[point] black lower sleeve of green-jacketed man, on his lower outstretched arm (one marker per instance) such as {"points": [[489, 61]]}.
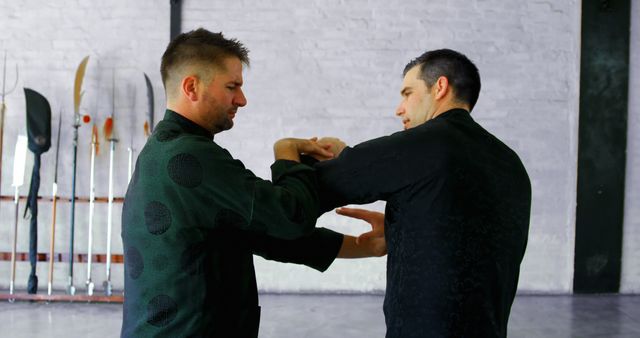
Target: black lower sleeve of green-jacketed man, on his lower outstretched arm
{"points": [[317, 250]]}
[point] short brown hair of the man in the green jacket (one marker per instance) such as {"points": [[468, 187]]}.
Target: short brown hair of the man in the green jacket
{"points": [[200, 48]]}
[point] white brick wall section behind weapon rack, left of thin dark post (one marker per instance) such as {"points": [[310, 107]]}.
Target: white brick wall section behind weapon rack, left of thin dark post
{"points": [[48, 39]]}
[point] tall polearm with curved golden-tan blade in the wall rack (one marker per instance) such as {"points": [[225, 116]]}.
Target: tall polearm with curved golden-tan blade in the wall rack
{"points": [[77, 97]]}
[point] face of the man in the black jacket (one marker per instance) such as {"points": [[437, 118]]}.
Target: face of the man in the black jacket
{"points": [[417, 103]]}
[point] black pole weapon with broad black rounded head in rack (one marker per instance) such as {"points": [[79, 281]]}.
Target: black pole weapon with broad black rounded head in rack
{"points": [[39, 132]]}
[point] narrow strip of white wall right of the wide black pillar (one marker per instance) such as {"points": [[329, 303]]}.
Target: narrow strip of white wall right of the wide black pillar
{"points": [[630, 282]]}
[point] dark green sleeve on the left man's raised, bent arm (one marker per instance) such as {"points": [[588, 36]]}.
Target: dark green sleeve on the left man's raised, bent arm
{"points": [[231, 195]]}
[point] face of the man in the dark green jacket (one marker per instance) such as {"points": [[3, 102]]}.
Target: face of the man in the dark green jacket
{"points": [[223, 96]]}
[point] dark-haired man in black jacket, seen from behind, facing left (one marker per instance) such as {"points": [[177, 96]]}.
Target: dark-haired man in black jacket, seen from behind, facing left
{"points": [[458, 206]]}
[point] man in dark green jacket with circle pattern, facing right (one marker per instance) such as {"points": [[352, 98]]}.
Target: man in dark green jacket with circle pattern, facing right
{"points": [[194, 216]]}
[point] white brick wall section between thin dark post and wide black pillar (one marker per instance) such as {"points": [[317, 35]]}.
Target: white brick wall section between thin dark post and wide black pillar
{"points": [[334, 67]]}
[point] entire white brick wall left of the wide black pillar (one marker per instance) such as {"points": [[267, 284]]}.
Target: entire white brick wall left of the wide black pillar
{"points": [[318, 68]]}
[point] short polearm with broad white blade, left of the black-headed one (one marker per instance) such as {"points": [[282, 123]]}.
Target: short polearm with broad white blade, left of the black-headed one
{"points": [[19, 161]]}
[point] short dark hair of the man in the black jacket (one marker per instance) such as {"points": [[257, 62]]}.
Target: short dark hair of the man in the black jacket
{"points": [[462, 74]]}
